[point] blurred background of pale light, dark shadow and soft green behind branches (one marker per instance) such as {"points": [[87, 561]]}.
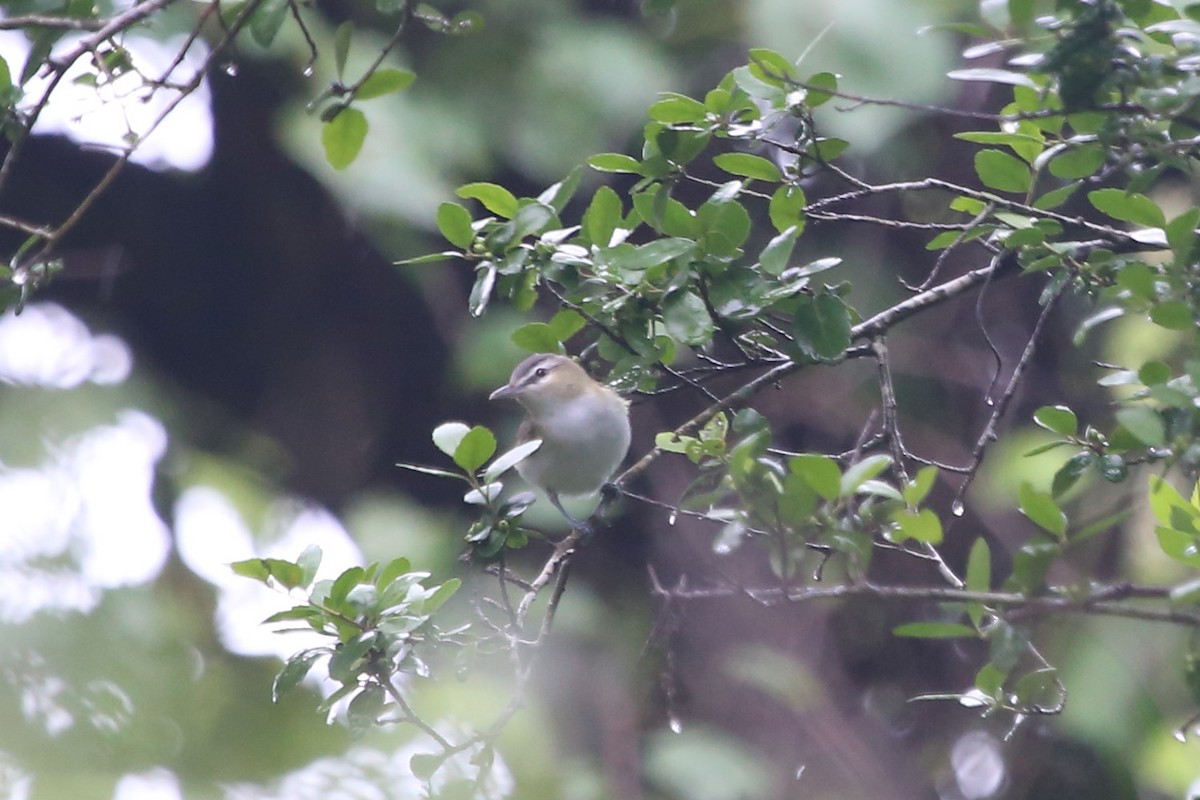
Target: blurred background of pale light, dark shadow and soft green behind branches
{"points": [[230, 365]]}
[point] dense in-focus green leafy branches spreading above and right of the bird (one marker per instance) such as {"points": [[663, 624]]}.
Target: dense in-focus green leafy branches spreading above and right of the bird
{"points": [[675, 294]]}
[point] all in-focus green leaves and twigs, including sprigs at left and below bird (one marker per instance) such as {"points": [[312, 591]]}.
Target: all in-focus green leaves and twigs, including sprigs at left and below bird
{"points": [[701, 269]]}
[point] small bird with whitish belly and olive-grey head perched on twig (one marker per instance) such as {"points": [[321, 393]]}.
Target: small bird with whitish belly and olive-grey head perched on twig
{"points": [[583, 424]]}
